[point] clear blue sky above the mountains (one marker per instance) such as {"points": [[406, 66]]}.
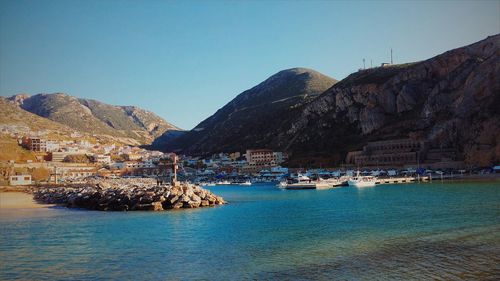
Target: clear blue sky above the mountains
{"points": [[186, 59]]}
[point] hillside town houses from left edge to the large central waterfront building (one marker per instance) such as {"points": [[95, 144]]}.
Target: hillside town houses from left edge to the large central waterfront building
{"points": [[72, 161]]}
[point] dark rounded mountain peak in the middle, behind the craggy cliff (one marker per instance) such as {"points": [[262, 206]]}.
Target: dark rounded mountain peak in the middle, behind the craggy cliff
{"points": [[250, 119]]}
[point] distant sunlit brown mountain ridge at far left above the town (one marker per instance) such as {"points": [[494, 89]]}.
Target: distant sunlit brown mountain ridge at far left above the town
{"points": [[90, 116]]}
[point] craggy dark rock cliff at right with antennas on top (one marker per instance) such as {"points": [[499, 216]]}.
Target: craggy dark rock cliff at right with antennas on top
{"points": [[451, 100]]}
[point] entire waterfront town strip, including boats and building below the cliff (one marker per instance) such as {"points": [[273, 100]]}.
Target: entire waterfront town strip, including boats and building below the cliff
{"points": [[76, 160]]}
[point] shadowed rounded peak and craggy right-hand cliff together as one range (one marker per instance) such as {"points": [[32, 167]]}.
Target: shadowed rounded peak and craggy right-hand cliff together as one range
{"points": [[451, 100]]}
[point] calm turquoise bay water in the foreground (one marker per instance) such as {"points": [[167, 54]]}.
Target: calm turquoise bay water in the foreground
{"points": [[401, 232]]}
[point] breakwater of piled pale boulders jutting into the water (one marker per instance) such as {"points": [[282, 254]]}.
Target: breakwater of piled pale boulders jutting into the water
{"points": [[143, 196]]}
